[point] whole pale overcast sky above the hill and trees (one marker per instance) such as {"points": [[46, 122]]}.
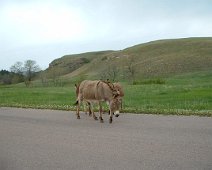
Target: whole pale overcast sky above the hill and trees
{"points": [[43, 30]]}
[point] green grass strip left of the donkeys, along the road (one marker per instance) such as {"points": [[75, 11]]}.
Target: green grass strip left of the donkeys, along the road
{"points": [[38, 97]]}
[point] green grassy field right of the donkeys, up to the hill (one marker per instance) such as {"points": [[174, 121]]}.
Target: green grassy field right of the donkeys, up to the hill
{"points": [[186, 94]]}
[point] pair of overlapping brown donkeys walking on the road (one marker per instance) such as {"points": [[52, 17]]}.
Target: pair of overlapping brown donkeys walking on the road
{"points": [[98, 91]]}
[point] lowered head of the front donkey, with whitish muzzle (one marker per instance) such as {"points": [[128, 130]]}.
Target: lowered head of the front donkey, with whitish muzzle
{"points": [[116, 105]]}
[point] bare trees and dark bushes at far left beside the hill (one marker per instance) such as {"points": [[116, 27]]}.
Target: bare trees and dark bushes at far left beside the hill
{"points": [[29, 71]]}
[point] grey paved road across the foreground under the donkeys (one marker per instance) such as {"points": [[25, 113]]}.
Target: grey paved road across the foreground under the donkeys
{"points": [[56, 140]]}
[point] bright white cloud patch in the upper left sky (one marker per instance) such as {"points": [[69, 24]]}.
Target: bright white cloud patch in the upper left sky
{"points": [[41, 23]]}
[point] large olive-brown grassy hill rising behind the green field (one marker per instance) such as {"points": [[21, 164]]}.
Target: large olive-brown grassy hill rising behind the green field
{"points": [[154, 59]]}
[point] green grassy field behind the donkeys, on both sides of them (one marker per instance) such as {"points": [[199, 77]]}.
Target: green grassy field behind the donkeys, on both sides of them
{"points": [[187, 94]]}
